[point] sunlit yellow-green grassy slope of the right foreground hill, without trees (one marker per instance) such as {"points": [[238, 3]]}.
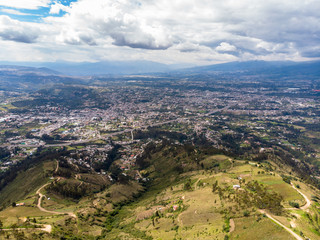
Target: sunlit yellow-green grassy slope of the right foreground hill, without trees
{"points": [[202, 214]]}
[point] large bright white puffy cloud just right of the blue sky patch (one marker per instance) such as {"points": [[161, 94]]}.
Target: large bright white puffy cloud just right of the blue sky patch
{"points": [[115, 20]]}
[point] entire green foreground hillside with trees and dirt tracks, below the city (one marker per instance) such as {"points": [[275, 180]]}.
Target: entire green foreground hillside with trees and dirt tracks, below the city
{"points": [[188, 193]]}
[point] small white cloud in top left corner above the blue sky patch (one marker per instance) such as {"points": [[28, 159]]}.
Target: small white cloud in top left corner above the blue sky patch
{"points": [[25, 4]]}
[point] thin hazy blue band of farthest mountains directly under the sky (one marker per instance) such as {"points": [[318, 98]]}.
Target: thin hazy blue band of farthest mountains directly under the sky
{"points": [[142, 67]]}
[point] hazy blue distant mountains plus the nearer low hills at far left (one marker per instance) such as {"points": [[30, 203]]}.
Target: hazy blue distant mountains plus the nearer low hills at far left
{"points": [[28, 78]]}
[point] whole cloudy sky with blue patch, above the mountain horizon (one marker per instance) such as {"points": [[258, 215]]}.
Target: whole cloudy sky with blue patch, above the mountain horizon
{"points": [[167, 31]]}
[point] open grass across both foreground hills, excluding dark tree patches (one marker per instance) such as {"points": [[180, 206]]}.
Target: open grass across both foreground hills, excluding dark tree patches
{"points": [[201, 214]]}
